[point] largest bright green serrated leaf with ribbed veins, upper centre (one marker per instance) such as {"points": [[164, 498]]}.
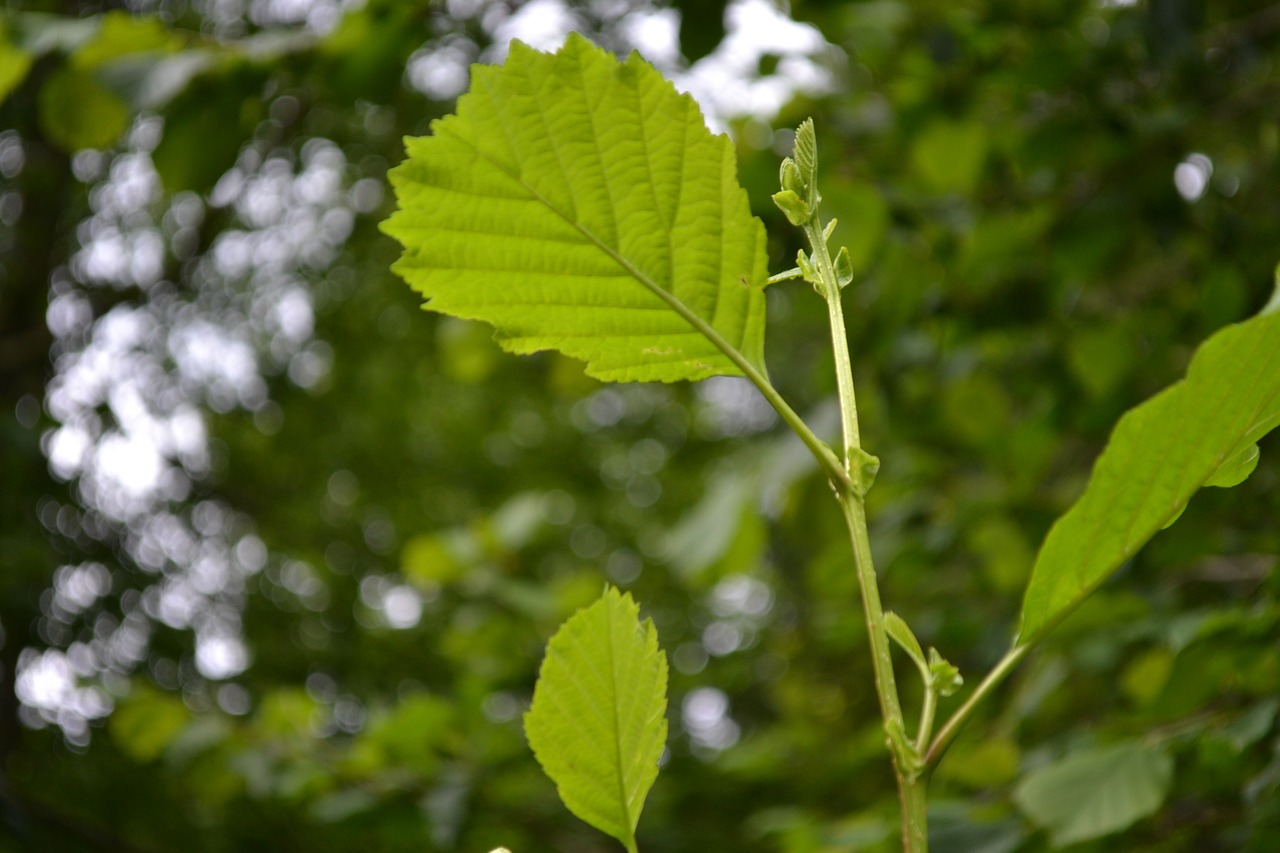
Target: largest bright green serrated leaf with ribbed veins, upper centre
{"points": [[580, 204]]}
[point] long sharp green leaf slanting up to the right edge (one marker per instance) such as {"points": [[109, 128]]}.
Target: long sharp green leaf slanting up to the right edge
{"points": [[1194, 434]]}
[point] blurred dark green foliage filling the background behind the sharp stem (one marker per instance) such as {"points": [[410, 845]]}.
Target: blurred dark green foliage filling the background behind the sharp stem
{"points": [[428, 510]]}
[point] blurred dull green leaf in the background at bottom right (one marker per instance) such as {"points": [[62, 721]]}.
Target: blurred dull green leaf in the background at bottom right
{"points": [[1092, 793]]}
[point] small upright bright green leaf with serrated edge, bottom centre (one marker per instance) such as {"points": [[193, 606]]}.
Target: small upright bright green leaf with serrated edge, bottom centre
{"points": [[598, 720]]}
